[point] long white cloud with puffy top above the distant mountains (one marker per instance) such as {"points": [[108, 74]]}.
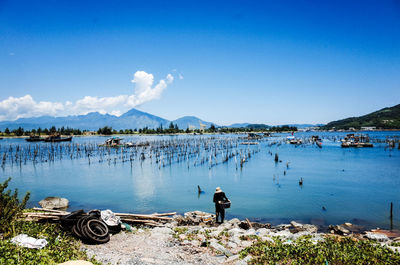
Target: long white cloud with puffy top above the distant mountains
{"points": [[22, 107]]}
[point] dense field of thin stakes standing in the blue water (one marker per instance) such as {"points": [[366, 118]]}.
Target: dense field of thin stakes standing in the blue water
{"points": [[192, 152]]}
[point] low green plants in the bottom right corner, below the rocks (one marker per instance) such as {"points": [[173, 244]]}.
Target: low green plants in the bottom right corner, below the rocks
{"points": [[332, 250]]}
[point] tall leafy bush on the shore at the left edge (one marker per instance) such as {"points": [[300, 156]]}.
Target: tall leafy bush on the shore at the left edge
{"points": [[10, 208]]}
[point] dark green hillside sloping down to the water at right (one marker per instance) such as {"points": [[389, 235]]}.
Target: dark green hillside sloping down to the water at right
{"points": [[387, 118]]}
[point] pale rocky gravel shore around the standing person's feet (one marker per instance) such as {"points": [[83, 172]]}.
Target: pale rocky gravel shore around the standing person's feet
{"points": [[195, 239]]}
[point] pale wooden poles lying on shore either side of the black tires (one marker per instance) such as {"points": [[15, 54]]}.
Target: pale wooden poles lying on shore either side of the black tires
{"points": [[156, 219]]}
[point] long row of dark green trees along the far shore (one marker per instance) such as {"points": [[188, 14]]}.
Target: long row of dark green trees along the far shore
{"points": [[171, 129]]}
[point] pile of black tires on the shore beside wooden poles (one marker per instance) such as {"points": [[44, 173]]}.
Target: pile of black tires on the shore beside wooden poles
{"points": [[89, 227]]}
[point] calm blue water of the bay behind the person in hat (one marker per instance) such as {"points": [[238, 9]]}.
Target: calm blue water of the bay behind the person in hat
{"points": [[354, 185]]}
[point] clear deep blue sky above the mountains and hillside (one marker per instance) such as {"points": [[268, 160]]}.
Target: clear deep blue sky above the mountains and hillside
{"points": [[272, 62]]}
